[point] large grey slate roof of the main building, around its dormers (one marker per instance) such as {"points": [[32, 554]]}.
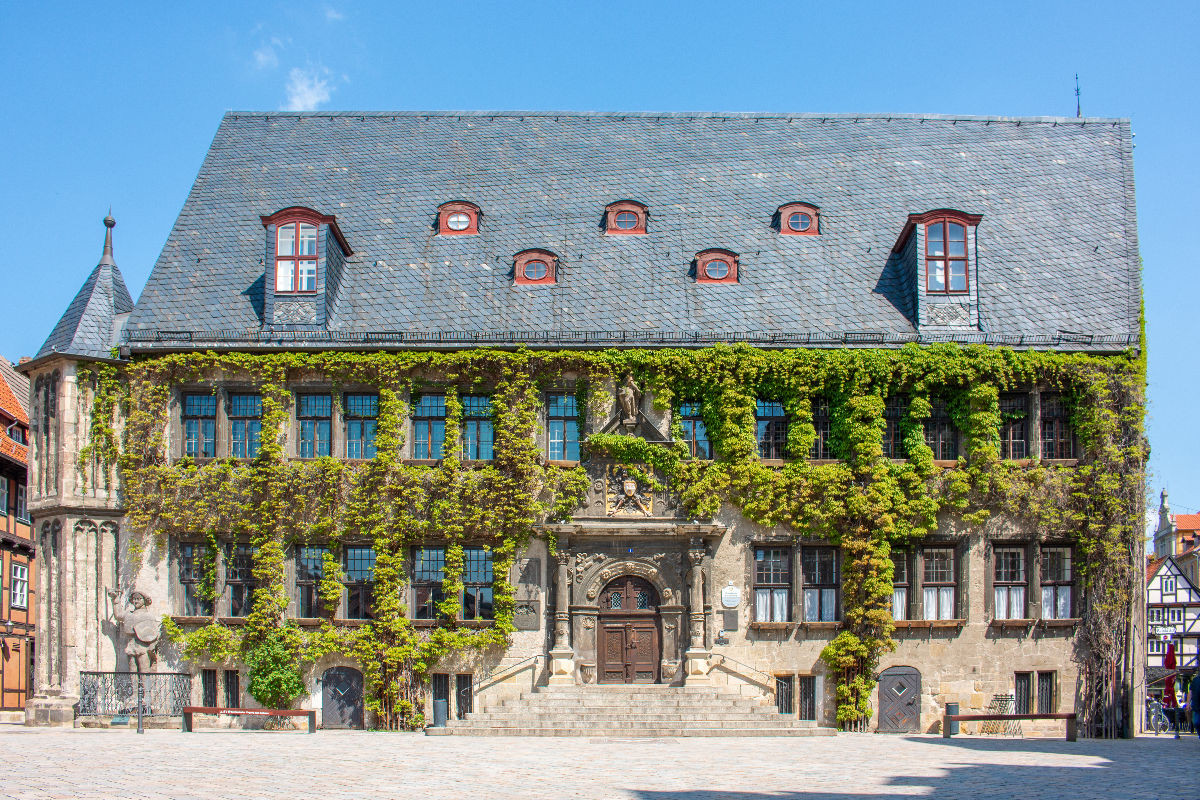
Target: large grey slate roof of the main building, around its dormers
{"points": [[1057, 262]]}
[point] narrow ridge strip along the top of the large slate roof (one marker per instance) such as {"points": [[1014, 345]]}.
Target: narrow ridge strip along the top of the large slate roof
{"points": [[841, 117]]}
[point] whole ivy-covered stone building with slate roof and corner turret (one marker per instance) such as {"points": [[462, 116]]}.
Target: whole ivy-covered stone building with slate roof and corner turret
{"points": [[386, 429]]}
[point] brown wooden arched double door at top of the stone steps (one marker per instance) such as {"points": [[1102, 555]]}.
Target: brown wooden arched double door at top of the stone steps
{"points": [[629, 633]]}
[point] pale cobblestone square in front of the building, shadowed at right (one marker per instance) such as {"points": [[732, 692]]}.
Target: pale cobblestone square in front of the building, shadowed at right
{"points": [[209, 765]]}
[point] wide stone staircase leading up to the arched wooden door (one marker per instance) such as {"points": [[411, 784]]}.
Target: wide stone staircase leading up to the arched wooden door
{"points": [[632, 712]]}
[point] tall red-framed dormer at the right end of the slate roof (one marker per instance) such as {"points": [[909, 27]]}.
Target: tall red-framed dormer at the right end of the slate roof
{"points": [[938, 250]]}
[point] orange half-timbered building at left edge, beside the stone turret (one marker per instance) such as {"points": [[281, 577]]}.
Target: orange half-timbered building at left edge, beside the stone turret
{"points": [[19, 601]]}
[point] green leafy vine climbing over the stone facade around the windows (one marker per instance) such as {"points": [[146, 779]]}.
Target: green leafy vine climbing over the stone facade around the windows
{"points": [[863, 503]]}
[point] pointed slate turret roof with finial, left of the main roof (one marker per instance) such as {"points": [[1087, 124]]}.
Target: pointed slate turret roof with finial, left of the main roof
{"points": [[92, 323]]}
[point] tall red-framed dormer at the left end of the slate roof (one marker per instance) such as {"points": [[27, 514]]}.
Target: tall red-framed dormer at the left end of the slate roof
{"points": [[305, 255]]}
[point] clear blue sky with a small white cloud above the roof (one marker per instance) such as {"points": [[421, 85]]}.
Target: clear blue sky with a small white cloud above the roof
{"points": [[117, 104]]}
